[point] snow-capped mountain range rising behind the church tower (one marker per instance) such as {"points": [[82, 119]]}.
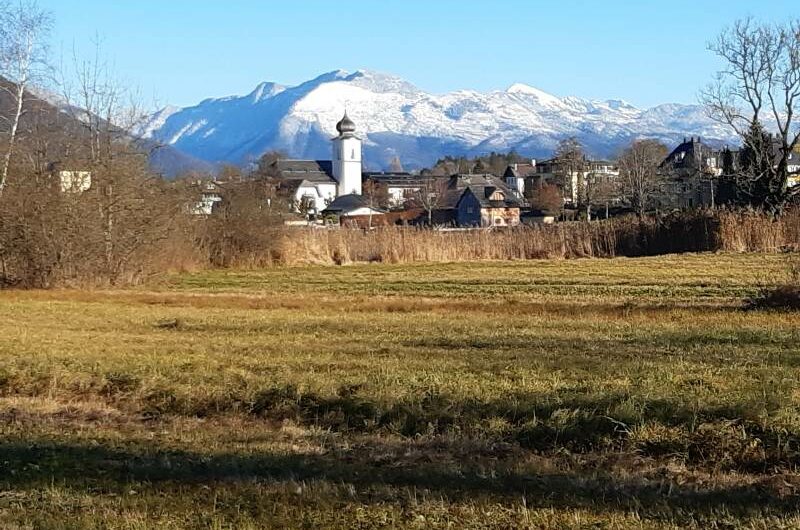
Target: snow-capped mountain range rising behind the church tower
{"points": [[395, 118]]}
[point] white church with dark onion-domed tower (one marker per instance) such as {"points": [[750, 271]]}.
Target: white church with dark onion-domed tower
{"points": [[331, 186]]}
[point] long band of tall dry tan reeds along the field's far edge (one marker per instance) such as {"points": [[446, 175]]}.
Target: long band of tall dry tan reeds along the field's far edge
{"points": [[685, 232]]}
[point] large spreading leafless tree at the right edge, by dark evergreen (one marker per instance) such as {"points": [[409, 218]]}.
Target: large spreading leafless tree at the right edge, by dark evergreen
{"points": [[760, 83]]}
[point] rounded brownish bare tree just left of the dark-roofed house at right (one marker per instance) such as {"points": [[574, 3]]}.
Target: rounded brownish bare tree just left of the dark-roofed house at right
{"points": [[638, 171]]}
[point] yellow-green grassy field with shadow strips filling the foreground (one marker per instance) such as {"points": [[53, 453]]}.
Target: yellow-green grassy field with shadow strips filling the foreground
{"points": [[626, 393]]}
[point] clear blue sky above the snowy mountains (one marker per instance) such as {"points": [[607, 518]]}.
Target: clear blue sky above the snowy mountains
{"points": [[183, 51]]}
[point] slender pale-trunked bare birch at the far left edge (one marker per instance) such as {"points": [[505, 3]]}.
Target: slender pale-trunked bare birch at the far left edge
{"points": [[24, 29]]}
